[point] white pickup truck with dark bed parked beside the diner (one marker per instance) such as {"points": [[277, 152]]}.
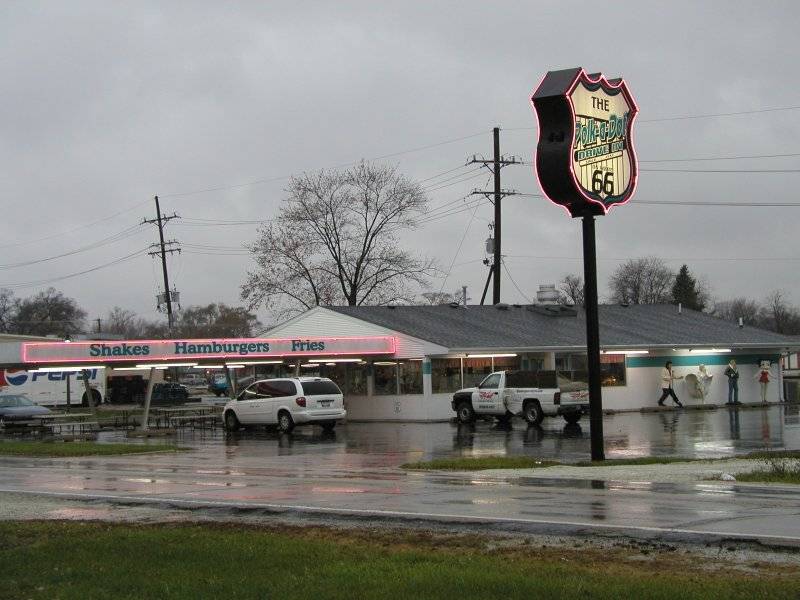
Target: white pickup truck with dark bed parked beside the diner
{"points": [[505, 394]]}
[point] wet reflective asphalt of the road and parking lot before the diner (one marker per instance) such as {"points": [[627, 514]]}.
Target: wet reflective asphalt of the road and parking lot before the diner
{"points": [[354, 473]]}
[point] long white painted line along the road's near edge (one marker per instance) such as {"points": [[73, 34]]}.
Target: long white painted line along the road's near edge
{"points": [[395, 513]]}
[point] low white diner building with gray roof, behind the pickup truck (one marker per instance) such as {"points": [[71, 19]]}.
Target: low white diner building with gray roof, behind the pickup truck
{"points": [[442, 348]]}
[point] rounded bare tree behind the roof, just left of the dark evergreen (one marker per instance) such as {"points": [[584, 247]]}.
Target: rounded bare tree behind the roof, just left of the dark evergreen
{"points": [[642, 281]]}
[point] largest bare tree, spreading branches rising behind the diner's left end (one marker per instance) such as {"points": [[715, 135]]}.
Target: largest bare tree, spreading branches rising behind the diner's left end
{"points": [[335, 241]]}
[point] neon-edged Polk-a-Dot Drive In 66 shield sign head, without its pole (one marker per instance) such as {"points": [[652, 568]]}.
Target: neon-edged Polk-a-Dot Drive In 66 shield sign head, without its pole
{"points": [[585, 160]]}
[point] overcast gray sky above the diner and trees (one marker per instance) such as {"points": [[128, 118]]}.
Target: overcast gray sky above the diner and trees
{"points": [[107, 103]]}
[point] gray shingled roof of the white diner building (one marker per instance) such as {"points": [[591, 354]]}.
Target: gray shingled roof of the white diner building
{"points": [[523, 327]]}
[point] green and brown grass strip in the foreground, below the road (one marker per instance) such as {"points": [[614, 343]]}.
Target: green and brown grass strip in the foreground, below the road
{"points": [[120, 561]]}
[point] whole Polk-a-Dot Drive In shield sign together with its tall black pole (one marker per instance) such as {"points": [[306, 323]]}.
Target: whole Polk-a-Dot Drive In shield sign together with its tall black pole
{"points": [[586, 163]]}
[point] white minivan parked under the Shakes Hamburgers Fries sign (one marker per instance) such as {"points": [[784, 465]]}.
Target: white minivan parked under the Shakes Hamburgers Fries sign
{"points": [[286, 402]]}
